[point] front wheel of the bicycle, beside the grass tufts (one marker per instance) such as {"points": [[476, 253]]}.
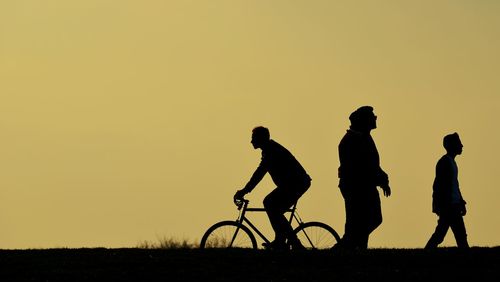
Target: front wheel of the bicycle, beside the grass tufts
{"points": [[228, 234]]}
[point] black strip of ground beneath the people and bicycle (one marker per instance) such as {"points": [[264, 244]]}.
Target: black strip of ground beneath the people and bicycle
{"points": [[445, 264]]}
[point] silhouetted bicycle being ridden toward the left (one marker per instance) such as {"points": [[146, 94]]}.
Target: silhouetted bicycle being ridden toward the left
{"points": [[238, 233]]}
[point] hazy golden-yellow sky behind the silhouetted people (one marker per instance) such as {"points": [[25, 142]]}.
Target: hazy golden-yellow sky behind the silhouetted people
{"points": [[124, 121]]}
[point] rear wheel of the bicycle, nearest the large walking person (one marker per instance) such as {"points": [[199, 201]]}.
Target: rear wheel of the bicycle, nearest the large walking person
{"points": [[317, 235]]}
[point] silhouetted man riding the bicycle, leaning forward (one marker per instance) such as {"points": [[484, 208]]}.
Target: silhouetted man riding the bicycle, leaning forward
{"points": [[292, 182]]}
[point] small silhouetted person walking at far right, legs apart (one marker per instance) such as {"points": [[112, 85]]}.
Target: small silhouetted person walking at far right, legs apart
{"points": [[447, 200]]}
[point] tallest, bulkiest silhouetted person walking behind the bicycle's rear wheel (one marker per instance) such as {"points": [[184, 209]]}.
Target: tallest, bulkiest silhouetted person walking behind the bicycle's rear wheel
{"points": [[359, 175]]}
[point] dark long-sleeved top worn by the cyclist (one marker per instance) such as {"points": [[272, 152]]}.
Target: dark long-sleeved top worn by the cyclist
{"points": [[282, 166]]}
